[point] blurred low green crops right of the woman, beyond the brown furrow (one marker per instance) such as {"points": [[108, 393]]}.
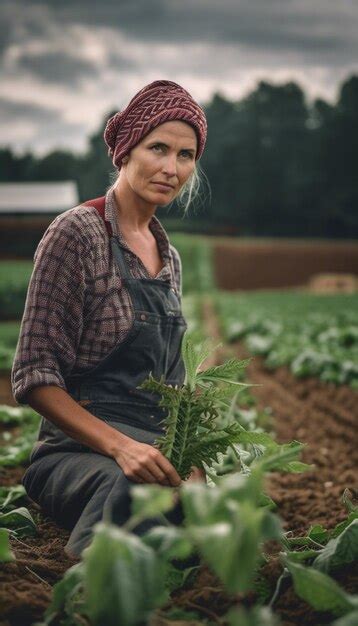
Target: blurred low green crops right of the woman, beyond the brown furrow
{"points": [[312, 335]]}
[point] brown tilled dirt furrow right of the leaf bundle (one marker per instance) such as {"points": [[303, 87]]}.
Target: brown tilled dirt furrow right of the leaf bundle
{"points": [[318, 415]]}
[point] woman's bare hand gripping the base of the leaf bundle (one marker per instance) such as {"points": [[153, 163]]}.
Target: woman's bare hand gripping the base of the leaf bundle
{"points": [[144, 463]]}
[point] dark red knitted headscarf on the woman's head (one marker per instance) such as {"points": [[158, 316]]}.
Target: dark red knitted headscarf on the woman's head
{"points": [[158, 102]]}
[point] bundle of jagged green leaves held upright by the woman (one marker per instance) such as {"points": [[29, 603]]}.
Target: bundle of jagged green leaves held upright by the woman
{"points": [[193, 431]]}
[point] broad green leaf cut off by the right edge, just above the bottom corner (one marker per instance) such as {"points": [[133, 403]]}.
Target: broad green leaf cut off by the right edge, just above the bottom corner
{"points": [[339, 551]]}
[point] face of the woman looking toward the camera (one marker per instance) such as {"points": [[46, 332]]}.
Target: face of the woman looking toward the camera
{"points": [[162, 162]]}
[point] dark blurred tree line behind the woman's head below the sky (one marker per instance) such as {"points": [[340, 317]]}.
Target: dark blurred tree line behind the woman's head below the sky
{"points": [[276, 164]]}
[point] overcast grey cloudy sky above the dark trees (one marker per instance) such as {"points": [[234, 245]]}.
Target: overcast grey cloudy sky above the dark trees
{"points": [[67, 63]]}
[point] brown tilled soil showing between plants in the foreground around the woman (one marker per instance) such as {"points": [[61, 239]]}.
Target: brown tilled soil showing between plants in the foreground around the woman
{"points": [[321, 415]]}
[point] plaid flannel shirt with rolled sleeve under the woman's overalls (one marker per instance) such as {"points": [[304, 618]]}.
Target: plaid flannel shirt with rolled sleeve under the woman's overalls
{"points": [[77, 308]]}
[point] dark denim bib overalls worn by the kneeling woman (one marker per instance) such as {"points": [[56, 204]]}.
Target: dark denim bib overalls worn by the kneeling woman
{"points": [[72, 483]]}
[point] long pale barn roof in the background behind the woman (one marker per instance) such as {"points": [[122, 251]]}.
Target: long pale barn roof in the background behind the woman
{"points": [[38, 197]]}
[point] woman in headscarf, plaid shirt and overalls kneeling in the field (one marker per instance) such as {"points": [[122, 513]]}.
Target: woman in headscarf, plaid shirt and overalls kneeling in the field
{"points": [[102, 312]]}
